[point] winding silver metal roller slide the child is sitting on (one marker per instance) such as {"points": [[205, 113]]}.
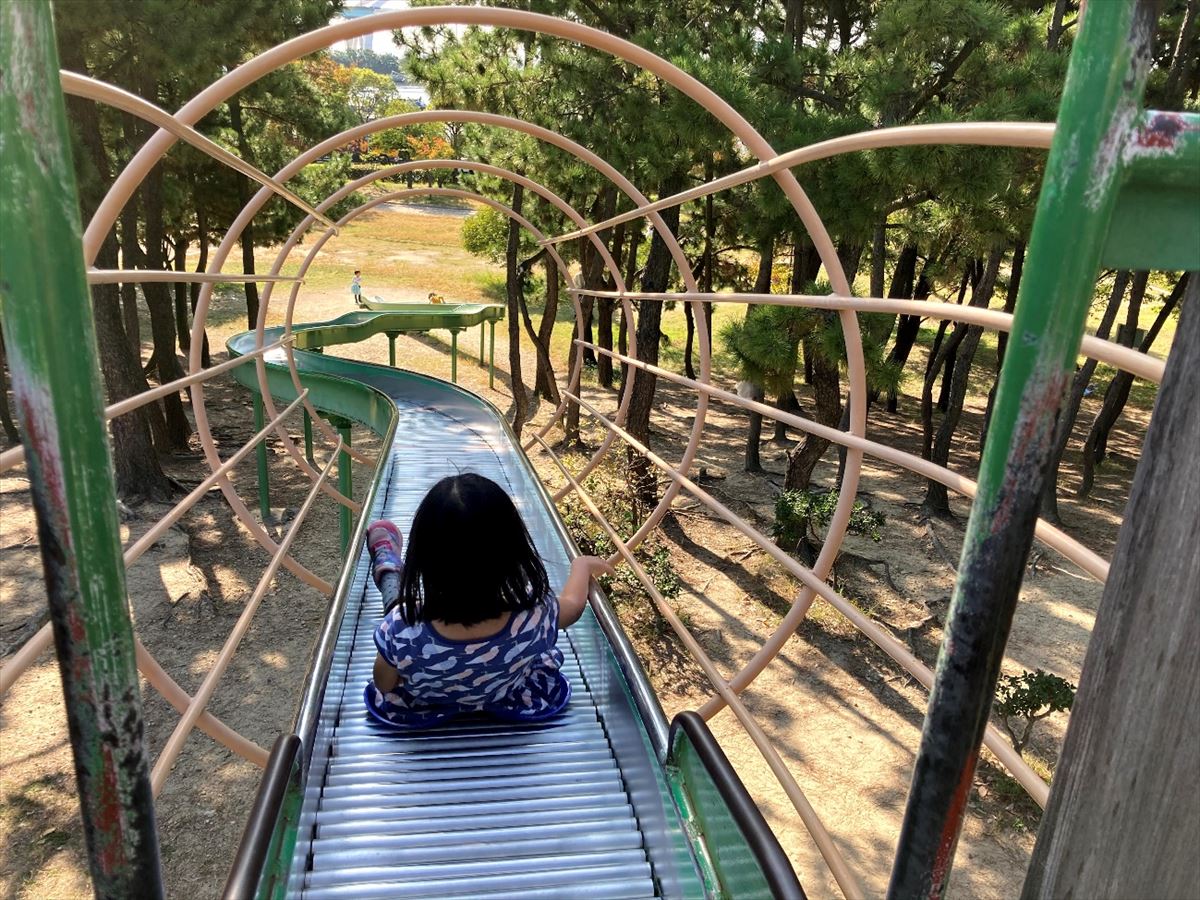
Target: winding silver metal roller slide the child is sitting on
{"points": [[579, 807]]}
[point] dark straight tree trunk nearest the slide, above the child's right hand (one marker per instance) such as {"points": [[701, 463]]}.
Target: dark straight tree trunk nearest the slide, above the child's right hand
{"points": [[650, 319]]}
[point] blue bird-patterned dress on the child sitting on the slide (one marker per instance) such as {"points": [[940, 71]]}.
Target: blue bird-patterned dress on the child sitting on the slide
{"points": [[513, 675]]}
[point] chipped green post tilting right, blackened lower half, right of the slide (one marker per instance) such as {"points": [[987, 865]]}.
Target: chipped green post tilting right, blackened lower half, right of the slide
{"points": [[1100, 109]]}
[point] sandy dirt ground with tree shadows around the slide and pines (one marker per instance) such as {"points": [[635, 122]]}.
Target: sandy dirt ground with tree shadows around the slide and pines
{"points": [[845, 718]]}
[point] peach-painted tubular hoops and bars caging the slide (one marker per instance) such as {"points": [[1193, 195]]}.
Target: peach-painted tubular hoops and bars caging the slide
{"points": [[770, 164]]}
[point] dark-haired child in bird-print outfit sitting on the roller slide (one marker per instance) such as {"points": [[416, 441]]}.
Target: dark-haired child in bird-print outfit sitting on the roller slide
{"points": [[470, 619]]}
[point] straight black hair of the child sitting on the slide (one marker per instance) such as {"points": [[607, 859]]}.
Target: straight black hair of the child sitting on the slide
{"points": [[470, 556]]}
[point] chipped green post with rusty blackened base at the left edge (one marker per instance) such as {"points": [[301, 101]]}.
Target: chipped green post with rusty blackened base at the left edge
{"points": [[56, 382]]}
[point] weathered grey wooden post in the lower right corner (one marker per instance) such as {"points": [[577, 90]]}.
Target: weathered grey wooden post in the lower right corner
{"points": [[1123, 815]]}
